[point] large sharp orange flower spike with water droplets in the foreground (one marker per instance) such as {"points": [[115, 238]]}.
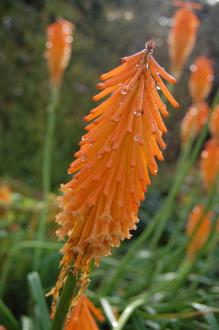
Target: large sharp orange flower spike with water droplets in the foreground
{"points": [[100, 204]]}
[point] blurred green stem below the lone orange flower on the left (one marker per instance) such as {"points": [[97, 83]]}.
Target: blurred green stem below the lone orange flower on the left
{"points": [[46, 170]]}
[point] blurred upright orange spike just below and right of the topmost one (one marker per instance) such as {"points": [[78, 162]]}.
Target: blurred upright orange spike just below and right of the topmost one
{"points": [[201, 79]]}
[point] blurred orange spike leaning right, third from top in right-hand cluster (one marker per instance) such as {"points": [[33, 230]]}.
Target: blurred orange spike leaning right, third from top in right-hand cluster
{"points": [[194, 120]]}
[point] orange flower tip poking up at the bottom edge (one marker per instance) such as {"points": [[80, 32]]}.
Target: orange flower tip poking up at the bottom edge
{"points": [[82, 316]]}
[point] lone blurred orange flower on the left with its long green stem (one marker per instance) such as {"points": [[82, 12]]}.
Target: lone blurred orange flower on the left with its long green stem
{"points": [[58, 52]]}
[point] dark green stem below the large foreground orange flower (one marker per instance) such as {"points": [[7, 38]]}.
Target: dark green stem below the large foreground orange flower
{"points": [[64, 303]]}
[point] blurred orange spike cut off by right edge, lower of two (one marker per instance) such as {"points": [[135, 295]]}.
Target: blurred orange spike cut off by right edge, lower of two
{"points": [[210, 162]]}
